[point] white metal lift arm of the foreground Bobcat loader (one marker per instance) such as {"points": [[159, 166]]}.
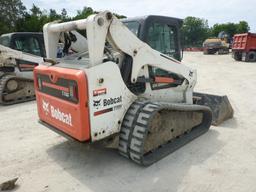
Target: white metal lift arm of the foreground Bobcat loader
{"points": [[104, 27]]}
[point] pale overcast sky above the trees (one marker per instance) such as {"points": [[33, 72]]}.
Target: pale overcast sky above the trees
{"points": [[216, 11]]}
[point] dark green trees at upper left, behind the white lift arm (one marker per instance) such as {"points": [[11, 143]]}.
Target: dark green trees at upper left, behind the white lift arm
{"points": [[15, 17]]}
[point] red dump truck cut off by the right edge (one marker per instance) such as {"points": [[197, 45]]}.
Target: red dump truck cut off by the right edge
{"points": [[244, 47]]}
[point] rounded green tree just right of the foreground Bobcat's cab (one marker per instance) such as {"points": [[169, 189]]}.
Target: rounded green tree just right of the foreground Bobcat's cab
{"points": [[195, 31]]}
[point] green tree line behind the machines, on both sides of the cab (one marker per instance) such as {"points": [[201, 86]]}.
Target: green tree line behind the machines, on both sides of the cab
{"points": [[14, 16]]}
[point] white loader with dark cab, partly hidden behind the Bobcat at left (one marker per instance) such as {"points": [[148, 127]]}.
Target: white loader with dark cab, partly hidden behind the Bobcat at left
{"points": [[20, 53]]}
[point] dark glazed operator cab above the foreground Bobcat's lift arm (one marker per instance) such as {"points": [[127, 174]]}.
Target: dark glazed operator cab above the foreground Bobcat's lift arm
{"points": [[159, 32]]}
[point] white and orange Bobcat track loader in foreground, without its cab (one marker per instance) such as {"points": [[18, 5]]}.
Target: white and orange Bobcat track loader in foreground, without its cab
{"points": [[121, 93]]}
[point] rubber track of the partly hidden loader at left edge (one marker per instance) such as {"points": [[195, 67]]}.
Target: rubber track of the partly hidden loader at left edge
{"points": [[3, 80]]}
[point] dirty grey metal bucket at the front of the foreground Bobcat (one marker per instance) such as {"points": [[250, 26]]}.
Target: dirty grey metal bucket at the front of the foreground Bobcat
{"points": [[220, 106]]}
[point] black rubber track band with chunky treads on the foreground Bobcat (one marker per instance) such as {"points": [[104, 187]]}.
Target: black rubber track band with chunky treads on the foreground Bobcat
{"points": [[135, 128]]}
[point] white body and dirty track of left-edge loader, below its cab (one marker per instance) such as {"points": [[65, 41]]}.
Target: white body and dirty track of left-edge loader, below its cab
{"points": [[16, 75]]}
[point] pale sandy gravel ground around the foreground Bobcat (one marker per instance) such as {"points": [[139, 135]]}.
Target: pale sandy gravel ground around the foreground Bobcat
{"points": [[223, 159]]}
